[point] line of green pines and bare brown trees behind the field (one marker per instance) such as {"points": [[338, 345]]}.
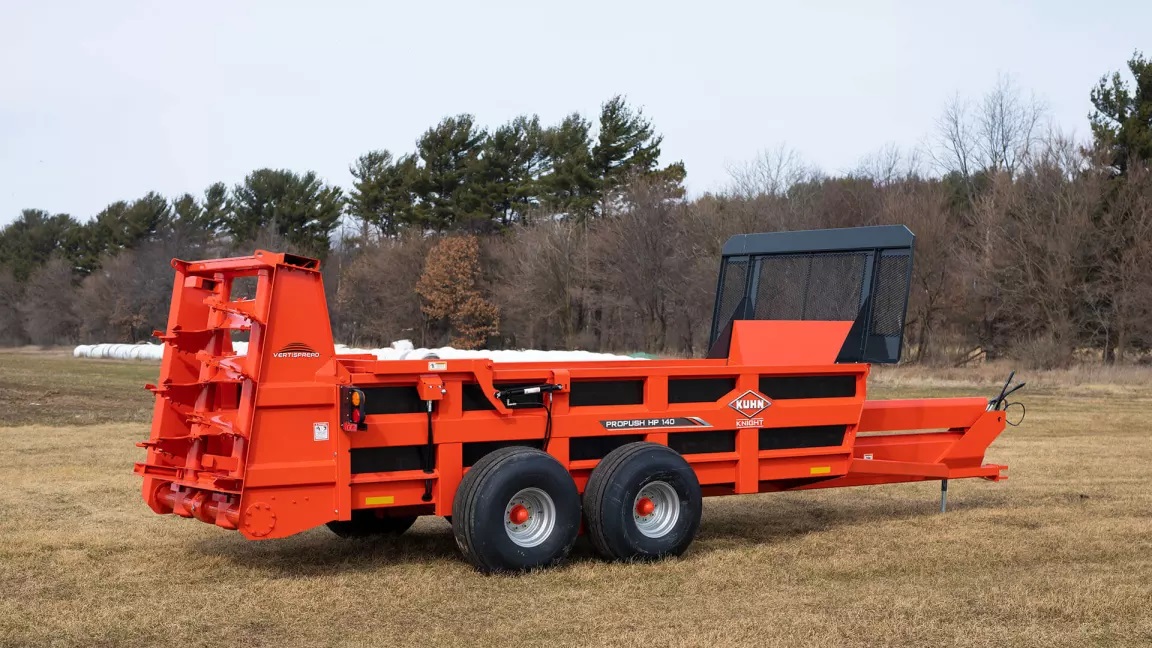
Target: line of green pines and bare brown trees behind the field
{"points": [[1029, 244]]}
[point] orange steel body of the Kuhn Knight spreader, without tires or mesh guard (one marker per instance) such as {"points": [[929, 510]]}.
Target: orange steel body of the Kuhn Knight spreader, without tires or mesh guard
{"points": [[256, 443]]}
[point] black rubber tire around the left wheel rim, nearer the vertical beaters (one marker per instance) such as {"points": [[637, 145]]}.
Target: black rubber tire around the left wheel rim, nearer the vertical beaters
{"points": [[479, 510]]}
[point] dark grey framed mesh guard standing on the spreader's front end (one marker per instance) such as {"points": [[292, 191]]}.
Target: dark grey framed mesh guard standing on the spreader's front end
{"points": [[860, 275]]}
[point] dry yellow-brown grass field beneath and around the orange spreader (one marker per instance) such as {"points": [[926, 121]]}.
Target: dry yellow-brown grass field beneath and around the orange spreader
{"points": [[1060, 555]]}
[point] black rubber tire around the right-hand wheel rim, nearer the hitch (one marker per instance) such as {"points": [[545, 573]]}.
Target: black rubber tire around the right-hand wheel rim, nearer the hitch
{"points": [[613, 488]]}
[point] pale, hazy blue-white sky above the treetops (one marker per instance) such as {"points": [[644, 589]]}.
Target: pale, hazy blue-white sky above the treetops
{"points": [[110, 101]]}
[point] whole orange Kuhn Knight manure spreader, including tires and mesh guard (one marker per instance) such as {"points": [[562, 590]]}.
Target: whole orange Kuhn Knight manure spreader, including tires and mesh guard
{"points": [[525, 456]]}
